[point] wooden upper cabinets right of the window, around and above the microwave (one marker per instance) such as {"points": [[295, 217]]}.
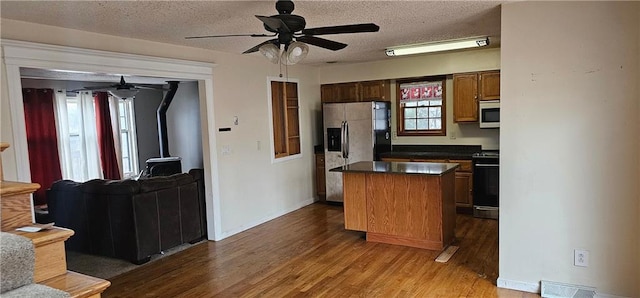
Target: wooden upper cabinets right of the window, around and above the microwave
{"points": [[469, 88]]}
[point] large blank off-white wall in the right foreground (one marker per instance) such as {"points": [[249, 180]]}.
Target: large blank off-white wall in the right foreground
{"points": [[570, 167]]}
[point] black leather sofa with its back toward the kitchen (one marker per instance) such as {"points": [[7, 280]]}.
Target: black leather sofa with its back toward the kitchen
{"points": [[130, 219]]}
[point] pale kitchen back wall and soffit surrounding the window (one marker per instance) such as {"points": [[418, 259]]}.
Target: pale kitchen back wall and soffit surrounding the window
{"points": [[425, 65]]}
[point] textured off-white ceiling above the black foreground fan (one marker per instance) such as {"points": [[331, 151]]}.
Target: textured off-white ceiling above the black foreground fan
{"points": [[401, 22]]}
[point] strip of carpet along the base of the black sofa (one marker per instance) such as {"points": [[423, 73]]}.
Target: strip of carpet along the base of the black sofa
{"points": [[106, 268]]}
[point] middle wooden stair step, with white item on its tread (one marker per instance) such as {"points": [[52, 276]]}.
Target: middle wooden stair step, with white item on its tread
{"points": [[51, 259]]}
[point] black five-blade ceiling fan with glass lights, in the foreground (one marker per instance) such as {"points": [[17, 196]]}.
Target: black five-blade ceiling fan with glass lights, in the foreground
{"points": [[290, 32]]}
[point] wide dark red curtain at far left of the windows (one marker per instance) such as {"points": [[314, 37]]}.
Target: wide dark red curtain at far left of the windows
{"points": [[42, 140]]}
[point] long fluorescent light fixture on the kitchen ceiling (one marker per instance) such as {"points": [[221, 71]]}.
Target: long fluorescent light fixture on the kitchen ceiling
{"points": [[438, 46]]}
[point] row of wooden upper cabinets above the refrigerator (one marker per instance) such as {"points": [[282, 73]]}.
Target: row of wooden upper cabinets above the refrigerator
{"points": [[356, 91]]}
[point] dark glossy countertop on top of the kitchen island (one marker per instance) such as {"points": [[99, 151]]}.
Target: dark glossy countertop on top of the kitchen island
{"points": [[419, 168]]}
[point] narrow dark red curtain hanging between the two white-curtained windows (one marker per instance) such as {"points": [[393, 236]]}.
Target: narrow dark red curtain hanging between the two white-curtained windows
{"points": [[106, 144]]}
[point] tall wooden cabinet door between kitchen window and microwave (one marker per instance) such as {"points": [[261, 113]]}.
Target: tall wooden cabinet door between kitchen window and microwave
{"points": [[465, 97]]}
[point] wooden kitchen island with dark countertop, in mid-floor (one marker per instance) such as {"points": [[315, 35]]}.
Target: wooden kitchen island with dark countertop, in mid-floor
{"points": [[403, 203]]}
